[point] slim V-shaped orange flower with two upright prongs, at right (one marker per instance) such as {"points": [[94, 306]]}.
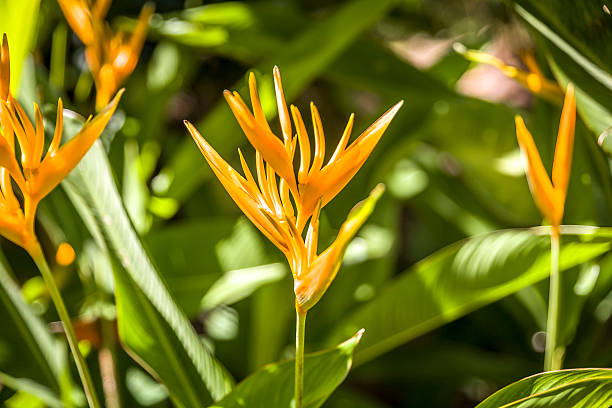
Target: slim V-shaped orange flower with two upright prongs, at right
{"points": [[550, 195]]}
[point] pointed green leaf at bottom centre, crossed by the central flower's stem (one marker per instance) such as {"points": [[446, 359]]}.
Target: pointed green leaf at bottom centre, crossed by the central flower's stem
{"points": [[272, 386]]}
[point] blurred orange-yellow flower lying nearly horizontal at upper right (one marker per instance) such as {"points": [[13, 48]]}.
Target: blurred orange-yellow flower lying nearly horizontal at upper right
{"points": [[534, 79]]}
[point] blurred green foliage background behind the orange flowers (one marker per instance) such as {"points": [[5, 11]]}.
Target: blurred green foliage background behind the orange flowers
{"points": [[437, 334]]}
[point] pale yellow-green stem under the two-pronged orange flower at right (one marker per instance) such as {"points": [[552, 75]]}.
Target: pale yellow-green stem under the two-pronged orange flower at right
{"points": [[553, 357]]}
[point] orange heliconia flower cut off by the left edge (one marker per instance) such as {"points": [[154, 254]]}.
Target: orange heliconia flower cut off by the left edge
{"points": [[35, 173]]}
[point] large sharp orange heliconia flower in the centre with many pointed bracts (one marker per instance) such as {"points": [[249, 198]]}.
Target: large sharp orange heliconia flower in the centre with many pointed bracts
{"points": [[281, 206]]}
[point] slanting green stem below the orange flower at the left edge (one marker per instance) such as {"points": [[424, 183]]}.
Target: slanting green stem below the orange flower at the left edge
{"points": [[39, 258]]}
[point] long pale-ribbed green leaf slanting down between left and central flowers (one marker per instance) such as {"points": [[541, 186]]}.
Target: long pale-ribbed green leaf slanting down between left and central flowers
{"points": [[166, 340]]}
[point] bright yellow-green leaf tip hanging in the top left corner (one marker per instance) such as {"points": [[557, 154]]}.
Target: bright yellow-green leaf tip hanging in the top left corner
{"points": [[18, 19]]}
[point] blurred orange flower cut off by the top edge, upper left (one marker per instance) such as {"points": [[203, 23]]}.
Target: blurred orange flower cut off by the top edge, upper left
{"points": [[111, 56]]}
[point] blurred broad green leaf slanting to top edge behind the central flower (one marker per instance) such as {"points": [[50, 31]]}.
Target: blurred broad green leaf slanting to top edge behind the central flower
{"points": [[300, 61]]}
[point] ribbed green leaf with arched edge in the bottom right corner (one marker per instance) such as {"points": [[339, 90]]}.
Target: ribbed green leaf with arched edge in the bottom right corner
{"points": [[583, 388]]}
